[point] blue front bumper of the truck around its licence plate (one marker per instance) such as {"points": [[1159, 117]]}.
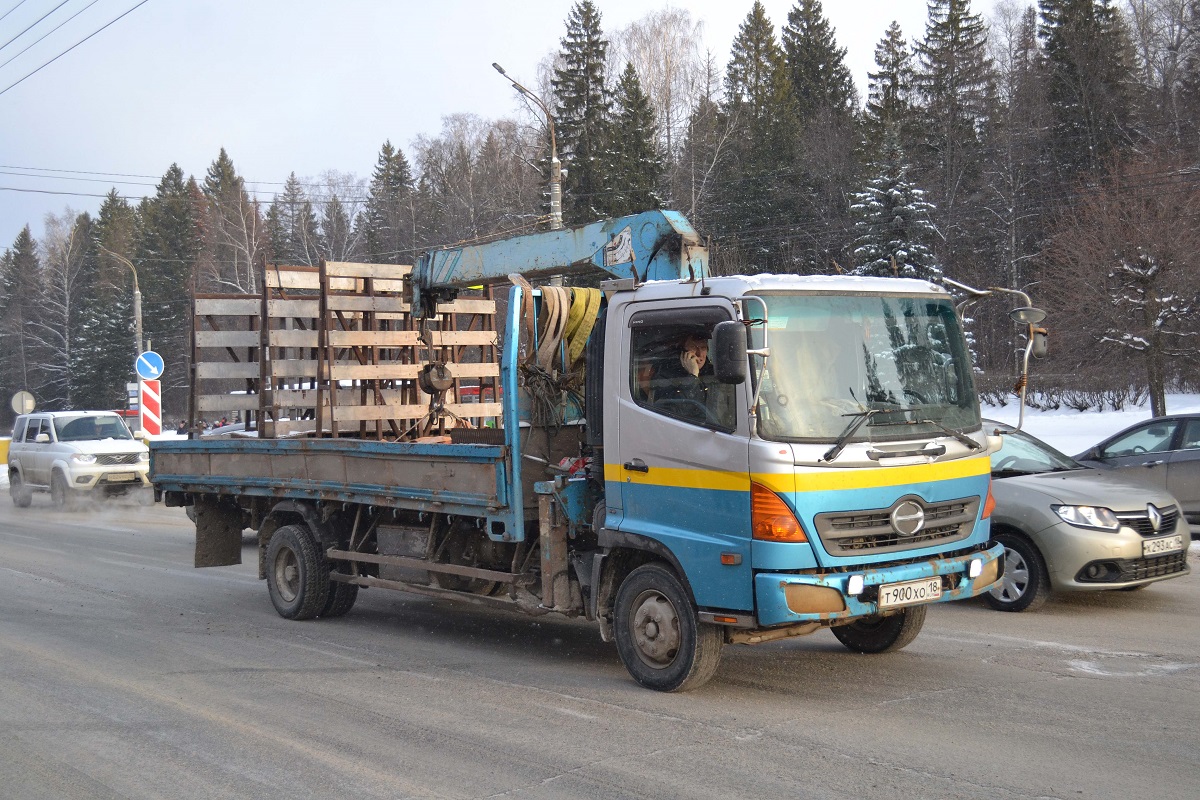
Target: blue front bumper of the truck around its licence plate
{"points": [[824, 597]]}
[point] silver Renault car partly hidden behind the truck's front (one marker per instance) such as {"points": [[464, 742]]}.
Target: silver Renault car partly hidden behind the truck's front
{"points": [[1067, 527]]}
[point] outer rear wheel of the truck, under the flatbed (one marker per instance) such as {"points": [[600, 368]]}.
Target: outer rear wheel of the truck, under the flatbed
{"points": [[297, 574]]}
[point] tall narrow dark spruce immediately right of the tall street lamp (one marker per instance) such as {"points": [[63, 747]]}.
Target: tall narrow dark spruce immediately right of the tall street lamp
{"points": [[583, 112]]}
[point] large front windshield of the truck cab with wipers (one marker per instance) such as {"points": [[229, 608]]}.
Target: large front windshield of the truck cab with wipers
{"points": [[833, 358]]}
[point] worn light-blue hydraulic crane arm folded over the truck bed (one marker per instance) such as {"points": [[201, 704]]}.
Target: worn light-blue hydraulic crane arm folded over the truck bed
{"points": [[649, 246]]}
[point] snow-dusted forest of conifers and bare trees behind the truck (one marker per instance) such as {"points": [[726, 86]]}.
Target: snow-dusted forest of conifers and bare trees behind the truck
{"points": [[1052, 148]]}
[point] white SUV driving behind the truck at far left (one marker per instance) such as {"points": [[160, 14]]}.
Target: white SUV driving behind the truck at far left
{"points": [[74, 453]]}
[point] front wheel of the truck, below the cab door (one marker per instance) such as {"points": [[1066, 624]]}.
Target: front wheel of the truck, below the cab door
{"points": [[659, 637]]}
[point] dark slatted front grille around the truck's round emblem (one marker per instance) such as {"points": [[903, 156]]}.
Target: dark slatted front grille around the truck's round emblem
{"points": [[849, 533]]}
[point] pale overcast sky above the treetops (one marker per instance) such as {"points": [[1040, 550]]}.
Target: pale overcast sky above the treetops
{"points": [[292, 86]]}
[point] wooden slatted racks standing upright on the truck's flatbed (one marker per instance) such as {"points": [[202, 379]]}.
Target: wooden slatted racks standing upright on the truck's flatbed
{"points": [[337, 351]]}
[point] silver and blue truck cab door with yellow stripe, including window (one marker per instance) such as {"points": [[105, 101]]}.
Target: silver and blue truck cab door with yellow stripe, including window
{"points": [[682, 470]]}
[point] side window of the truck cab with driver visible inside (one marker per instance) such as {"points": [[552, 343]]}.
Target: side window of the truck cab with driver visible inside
{"points": [[673, 375]]}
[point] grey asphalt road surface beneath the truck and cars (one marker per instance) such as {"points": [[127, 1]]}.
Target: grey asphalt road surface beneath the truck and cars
{"points": [[125, 673]]}
